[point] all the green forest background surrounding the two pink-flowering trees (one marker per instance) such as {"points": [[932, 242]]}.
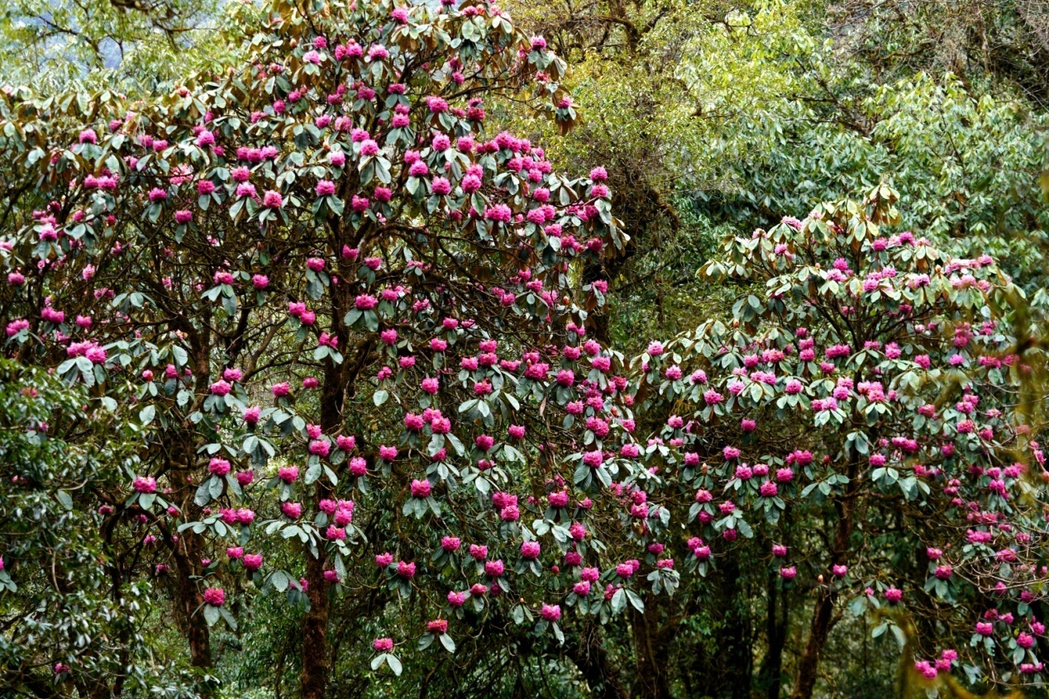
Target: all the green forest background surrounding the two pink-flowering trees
{"points": [[713, 119]]}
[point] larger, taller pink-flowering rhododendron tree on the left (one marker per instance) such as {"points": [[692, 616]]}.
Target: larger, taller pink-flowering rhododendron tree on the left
{"points": [[344, 317]]}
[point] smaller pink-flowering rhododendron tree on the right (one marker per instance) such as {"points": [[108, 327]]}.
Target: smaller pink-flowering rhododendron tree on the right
{"points": [[867, 383]]}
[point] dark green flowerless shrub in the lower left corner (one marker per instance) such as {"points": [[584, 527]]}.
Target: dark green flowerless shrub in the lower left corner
{"points": [[93, 607]]}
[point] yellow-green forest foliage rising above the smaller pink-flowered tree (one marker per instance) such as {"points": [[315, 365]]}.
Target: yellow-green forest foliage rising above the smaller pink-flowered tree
{"points": [[717, 115]]}
